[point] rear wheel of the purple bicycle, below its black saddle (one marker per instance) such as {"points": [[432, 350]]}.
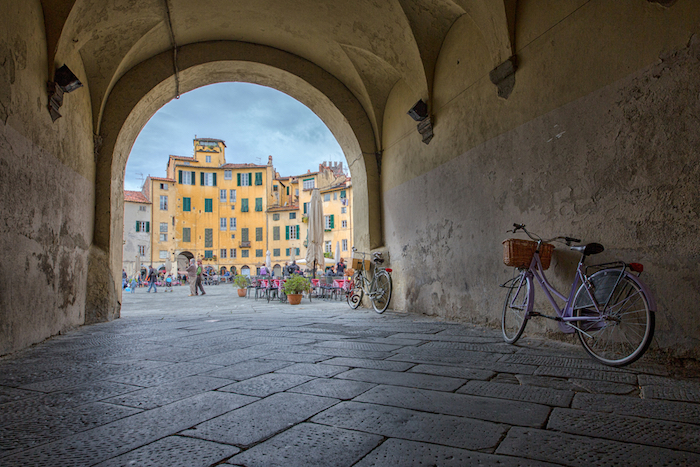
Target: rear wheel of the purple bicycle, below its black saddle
{"points": [[621, 332]]}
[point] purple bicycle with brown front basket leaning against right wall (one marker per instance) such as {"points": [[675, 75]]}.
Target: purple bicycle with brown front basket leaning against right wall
{"points": [[608, 306]]}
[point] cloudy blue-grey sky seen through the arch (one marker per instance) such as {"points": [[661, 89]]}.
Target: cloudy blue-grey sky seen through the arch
{"points": [[254, 121]]}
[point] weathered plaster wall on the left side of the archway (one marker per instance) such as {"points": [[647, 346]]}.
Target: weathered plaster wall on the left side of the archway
{"points": [[46, 188]]}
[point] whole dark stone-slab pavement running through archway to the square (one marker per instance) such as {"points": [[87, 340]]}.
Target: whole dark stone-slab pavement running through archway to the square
{"points": [[222, 380]]}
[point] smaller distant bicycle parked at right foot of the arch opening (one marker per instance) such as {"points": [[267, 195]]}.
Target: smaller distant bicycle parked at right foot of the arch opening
{"points": [[377, 288]]}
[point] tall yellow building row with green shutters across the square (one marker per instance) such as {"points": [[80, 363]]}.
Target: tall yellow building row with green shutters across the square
{"points": [[231, 215]]}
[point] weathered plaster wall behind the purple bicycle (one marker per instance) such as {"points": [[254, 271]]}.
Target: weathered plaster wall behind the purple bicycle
{"points": [[600, 145]]}
